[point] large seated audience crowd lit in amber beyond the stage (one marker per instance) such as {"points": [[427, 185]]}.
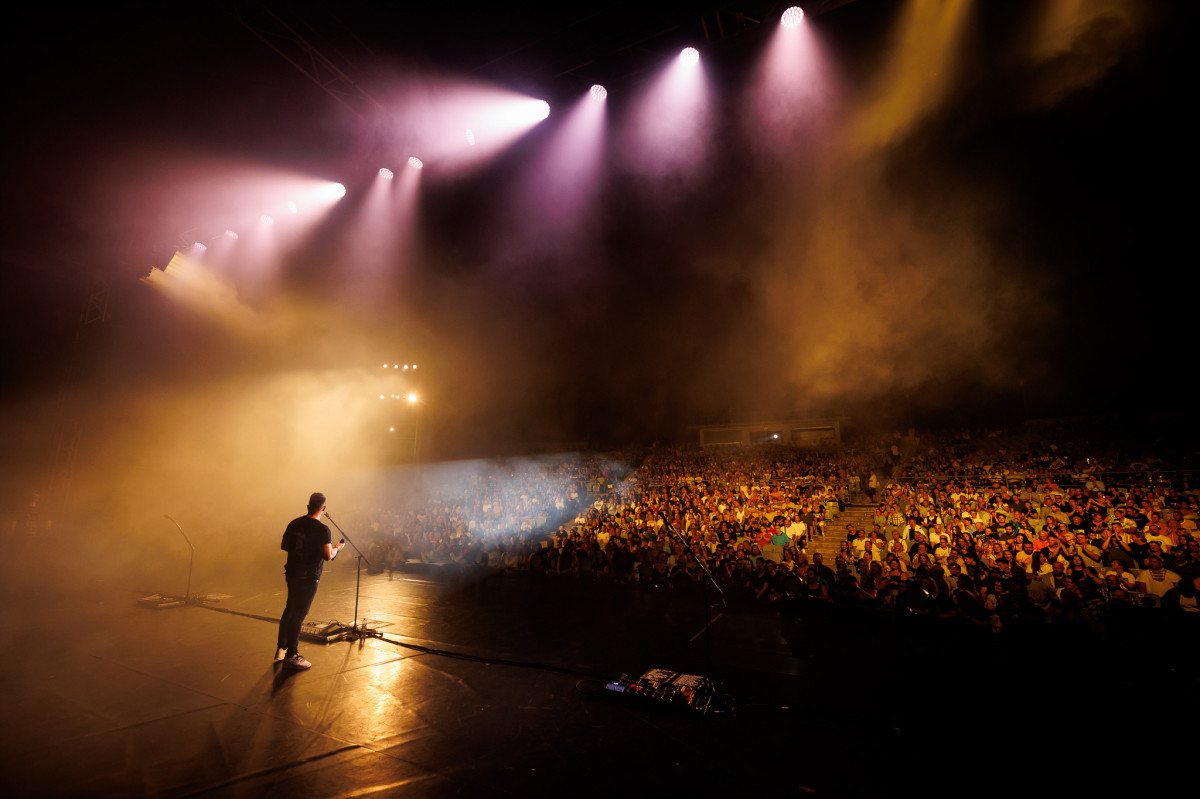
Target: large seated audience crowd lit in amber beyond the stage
{"points": [[997, 531]]}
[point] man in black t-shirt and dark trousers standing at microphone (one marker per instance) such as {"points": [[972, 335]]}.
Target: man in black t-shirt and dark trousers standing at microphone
{"points": [[309, 545]]}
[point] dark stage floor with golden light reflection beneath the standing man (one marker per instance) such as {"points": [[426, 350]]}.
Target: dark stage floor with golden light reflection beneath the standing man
{"points": [[106, 699]]}
